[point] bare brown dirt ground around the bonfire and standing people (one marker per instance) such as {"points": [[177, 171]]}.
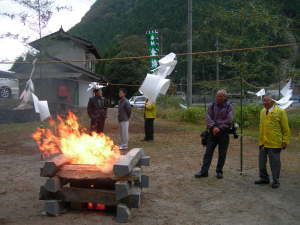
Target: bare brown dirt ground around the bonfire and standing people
{"points": [[174, 196]]}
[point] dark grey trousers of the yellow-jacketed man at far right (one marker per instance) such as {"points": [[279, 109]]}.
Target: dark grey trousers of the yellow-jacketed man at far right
{"points": [[274, 160]]}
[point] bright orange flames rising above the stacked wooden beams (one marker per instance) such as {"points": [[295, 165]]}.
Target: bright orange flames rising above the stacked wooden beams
{"points": [[68, 138]]}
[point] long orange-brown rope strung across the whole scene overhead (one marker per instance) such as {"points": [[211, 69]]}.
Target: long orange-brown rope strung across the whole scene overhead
{"points": [[148, 57]]}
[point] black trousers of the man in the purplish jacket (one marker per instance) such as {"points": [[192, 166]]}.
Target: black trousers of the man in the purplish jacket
{"points": [[222, 140]]}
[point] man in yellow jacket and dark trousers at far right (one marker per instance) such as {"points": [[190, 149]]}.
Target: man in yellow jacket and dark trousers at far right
{"points": [[274, 135]]}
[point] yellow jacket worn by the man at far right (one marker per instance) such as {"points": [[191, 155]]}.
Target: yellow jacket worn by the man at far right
{"points": [[273, 128]]}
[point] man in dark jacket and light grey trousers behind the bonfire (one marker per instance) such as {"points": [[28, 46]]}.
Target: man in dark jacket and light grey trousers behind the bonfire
{"points": [[123, 117]]}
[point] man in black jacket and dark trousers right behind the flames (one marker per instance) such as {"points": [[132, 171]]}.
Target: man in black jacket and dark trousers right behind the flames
{"points": [[97, 110]]}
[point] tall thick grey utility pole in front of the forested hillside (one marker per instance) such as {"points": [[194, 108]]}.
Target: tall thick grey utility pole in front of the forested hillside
{"points": [[190, 57]]}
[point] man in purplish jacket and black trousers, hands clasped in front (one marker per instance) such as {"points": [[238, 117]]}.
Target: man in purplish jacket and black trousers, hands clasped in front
{"points": [[218, 119]]}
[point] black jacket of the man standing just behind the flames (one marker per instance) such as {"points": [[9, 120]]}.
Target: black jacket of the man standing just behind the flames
{"points": [[97, 108]]}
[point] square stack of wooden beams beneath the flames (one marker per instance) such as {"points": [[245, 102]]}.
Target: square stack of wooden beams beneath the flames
{"points": [[69, 183]]}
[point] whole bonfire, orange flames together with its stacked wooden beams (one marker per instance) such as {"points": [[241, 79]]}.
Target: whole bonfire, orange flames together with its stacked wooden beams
{"points": [[88, 172]]}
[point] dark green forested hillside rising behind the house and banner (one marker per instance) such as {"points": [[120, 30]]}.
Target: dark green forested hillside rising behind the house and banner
{"points": [[234, 23]]}
